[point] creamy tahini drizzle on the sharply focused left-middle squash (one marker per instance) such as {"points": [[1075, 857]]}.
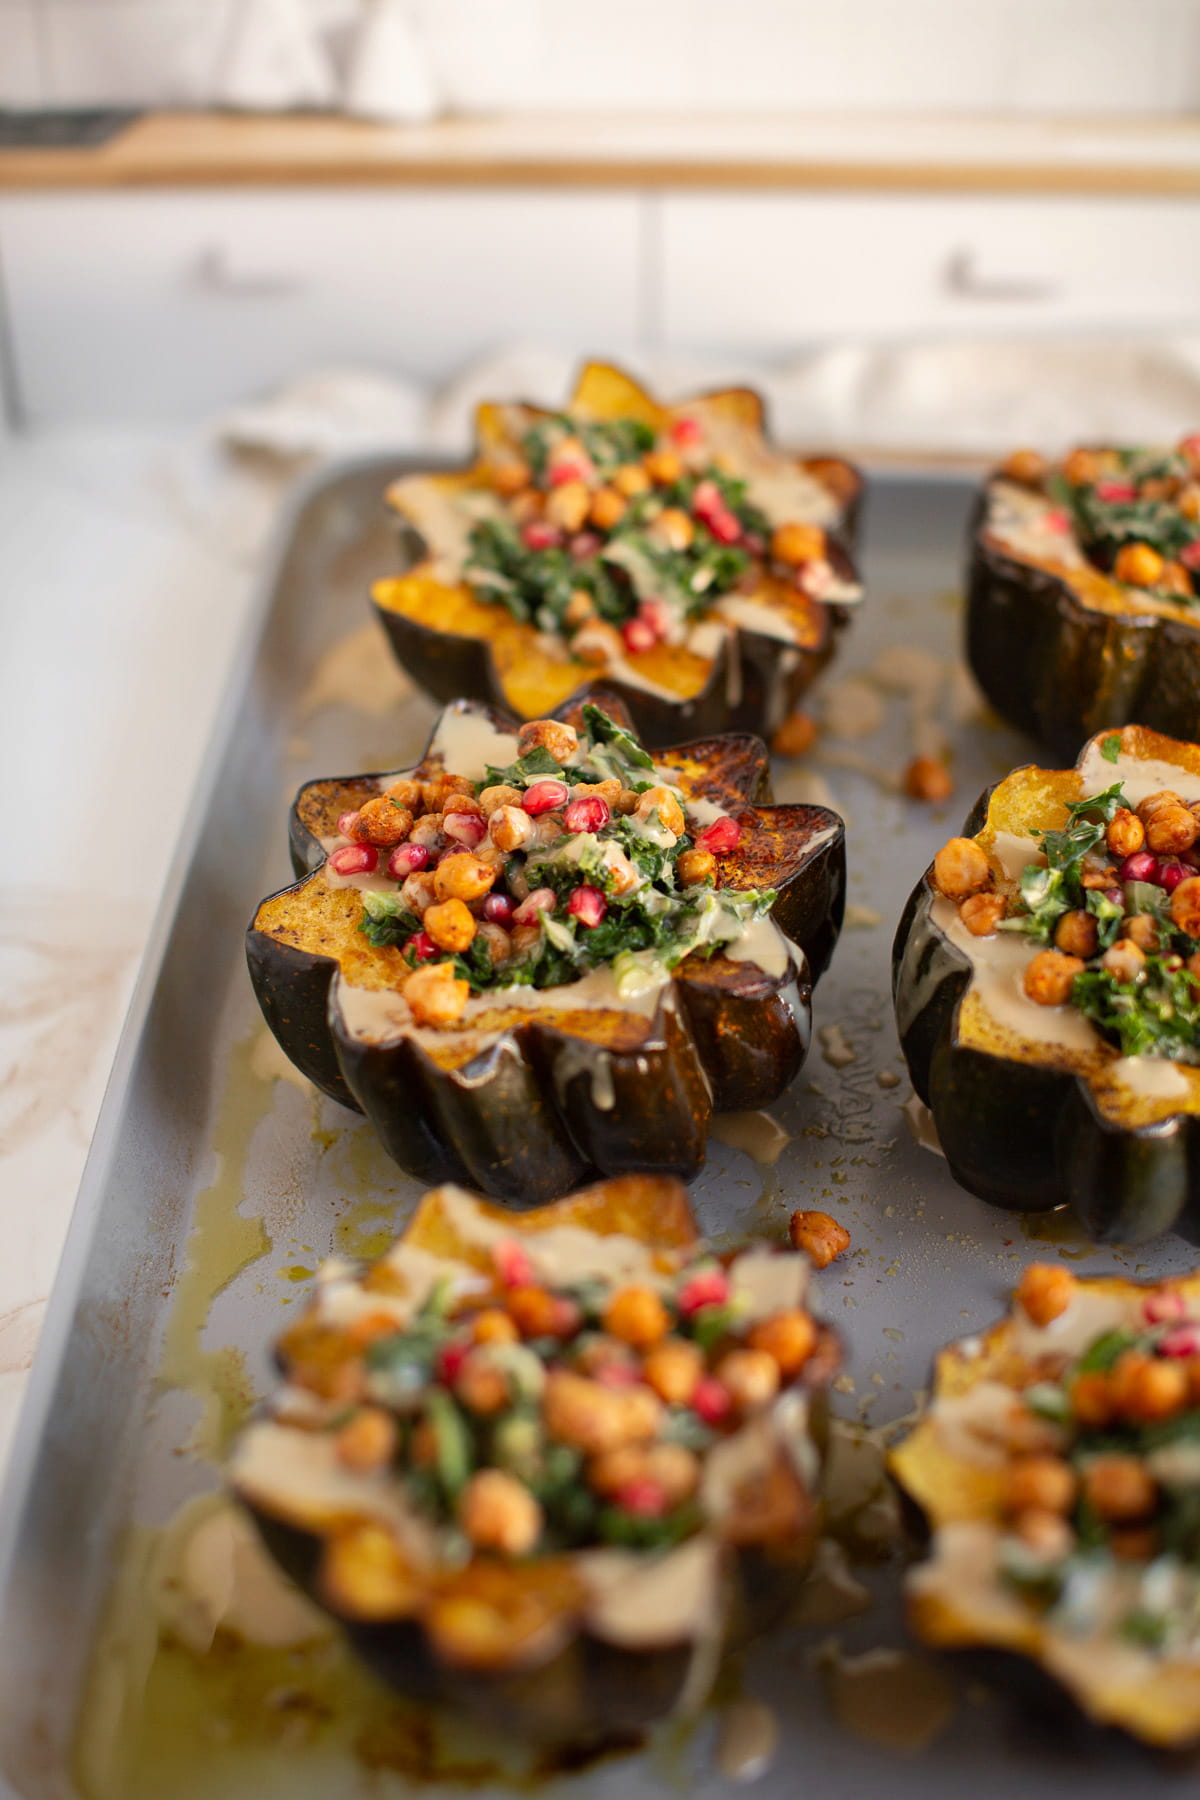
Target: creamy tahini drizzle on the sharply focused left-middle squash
{"points": [[470, 744]]}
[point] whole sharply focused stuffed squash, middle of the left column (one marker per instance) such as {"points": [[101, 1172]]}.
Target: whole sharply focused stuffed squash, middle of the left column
{"points": [[546, 1068]]}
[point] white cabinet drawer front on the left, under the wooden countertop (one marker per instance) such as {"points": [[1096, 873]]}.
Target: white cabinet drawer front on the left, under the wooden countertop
{"points": [[172, 305]]}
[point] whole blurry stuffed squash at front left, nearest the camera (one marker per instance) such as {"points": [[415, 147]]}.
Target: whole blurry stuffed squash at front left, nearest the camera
{"points": [[541, 1466]]}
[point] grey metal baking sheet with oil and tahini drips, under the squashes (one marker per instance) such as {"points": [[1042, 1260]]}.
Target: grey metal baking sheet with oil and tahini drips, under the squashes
{"points": [[215, 1187]]}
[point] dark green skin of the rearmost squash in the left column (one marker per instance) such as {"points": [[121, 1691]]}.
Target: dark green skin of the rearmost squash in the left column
{"points": [[758, 697]]}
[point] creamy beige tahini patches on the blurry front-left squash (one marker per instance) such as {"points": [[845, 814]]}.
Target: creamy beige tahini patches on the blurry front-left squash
{"points": [[634, 1599]]}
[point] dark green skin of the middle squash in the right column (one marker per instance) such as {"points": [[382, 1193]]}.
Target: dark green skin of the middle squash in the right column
{"points": [[1025, 1137]]}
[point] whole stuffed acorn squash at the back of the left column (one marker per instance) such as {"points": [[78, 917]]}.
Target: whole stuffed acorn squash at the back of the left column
{"points": [[661, 550]]}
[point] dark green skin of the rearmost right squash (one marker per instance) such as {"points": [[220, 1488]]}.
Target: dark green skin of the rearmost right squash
{"points": [[1061, 670]]}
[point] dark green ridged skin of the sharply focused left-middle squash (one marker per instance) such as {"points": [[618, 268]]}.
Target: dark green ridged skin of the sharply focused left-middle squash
{"points": [[530, 1117]]}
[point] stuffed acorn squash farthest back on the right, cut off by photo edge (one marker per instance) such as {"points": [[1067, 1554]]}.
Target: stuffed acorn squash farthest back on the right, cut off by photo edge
{"points": [[1082, 593]]}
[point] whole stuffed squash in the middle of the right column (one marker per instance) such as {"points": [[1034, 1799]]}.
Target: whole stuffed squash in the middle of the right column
{"points": [[1050, 1014]]}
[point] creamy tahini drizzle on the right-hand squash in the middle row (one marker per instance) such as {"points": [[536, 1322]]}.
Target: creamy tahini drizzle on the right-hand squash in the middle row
{"points": [[999, 962]]}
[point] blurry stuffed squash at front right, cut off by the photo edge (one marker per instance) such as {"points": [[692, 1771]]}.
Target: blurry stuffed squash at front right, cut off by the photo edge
{"points": [[1059, 1468]]}
